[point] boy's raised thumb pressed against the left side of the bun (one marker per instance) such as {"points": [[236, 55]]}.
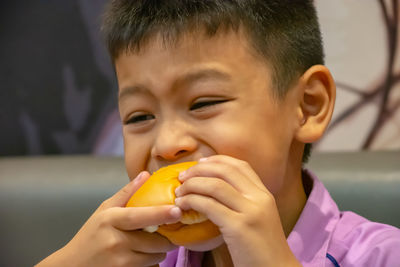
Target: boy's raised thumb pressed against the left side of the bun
{"points": [[120, 198]]}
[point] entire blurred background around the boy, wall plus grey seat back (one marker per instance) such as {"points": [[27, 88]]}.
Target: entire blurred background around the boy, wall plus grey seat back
{"points": [[58, 96]]}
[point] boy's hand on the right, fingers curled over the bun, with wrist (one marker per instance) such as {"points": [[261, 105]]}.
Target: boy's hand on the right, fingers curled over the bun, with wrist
{"points": [[233, 197]]}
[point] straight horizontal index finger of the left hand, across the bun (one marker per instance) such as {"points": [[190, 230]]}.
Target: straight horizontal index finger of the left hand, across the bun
{"points": [[128, 219]]}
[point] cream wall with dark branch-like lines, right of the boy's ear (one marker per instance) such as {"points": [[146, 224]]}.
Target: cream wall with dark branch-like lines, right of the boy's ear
{"points": [[362, 50]]}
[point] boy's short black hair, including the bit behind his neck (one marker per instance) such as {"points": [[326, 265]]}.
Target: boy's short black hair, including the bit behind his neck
{"points": [[285, 33]]}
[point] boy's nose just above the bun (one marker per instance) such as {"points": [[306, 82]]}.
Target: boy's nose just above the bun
{"points": [[174, 141]]}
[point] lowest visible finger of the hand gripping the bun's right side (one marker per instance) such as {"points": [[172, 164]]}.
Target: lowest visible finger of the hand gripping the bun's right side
{"points": [[215, 211]]}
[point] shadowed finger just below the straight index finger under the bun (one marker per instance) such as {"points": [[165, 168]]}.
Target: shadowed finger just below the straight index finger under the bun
{"points": [[148, 242]]}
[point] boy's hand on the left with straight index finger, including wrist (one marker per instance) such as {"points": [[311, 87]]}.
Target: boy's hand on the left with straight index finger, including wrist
{"points": [[112, 236]]}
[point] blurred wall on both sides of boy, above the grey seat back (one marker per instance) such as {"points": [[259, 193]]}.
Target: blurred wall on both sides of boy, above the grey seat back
{"points": [[58, 93]]}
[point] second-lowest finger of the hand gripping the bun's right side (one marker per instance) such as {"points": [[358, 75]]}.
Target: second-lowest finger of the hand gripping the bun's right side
{"points": [[215, 188]]}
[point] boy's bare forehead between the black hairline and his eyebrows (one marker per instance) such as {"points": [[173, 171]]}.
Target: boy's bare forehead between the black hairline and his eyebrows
{"points": [[159, 61]]}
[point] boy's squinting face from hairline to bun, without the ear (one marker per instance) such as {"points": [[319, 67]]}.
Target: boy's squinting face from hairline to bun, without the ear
{"points": [[202, 97]]}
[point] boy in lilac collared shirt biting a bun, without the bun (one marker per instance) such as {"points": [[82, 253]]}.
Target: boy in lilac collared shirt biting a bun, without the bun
{"points": [[239, 86]]}
